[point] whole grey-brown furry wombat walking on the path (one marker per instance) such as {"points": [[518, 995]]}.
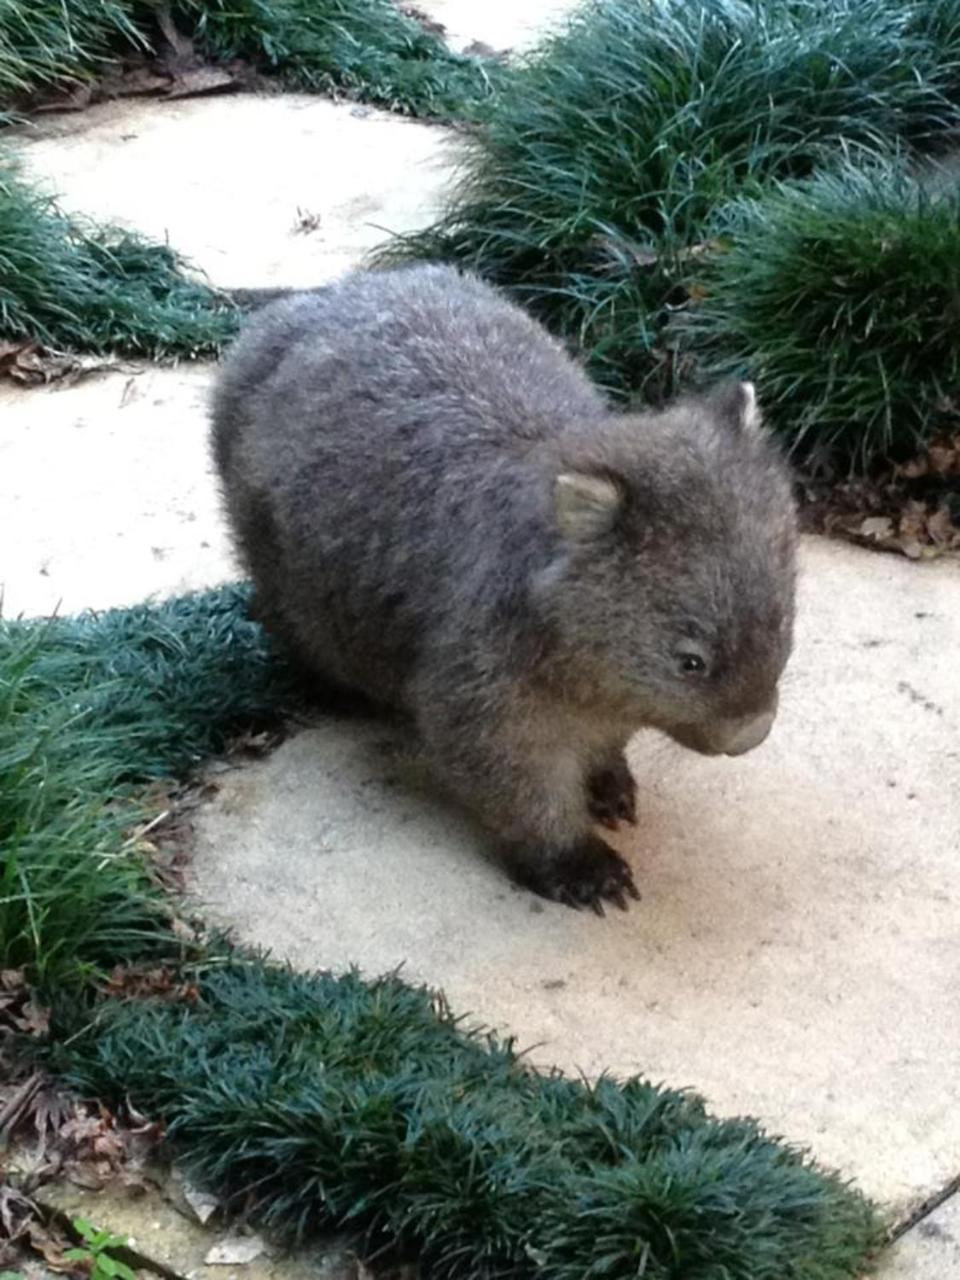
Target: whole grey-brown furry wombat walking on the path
{"points": [[440, 510]]}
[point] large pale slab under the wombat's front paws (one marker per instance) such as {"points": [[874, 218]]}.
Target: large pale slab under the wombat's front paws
{"points": [[797, 953]]}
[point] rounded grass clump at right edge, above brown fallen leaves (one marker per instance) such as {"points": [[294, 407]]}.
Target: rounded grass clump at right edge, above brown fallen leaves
{"points": [[842, 299]]}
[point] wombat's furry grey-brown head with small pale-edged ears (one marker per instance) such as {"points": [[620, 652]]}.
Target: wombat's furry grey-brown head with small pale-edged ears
{"points": [[673, 588]]}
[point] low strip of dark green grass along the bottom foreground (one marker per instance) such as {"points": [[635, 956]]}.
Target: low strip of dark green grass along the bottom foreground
{"points": [[323, 1103]]}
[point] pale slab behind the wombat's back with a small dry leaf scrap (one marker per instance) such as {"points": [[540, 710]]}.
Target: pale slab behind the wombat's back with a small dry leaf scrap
{"points": [[287, 190]]}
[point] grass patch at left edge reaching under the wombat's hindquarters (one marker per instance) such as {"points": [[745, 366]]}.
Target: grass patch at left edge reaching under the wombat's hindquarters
{"points": [[90, 708]]}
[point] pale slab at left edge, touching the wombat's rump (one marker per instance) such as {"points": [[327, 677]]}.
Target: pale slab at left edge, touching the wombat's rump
{"points": [[107, 493]]}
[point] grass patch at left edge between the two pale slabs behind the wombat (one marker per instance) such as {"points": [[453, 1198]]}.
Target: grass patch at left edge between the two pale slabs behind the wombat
{"points": [[77, 287]]}
